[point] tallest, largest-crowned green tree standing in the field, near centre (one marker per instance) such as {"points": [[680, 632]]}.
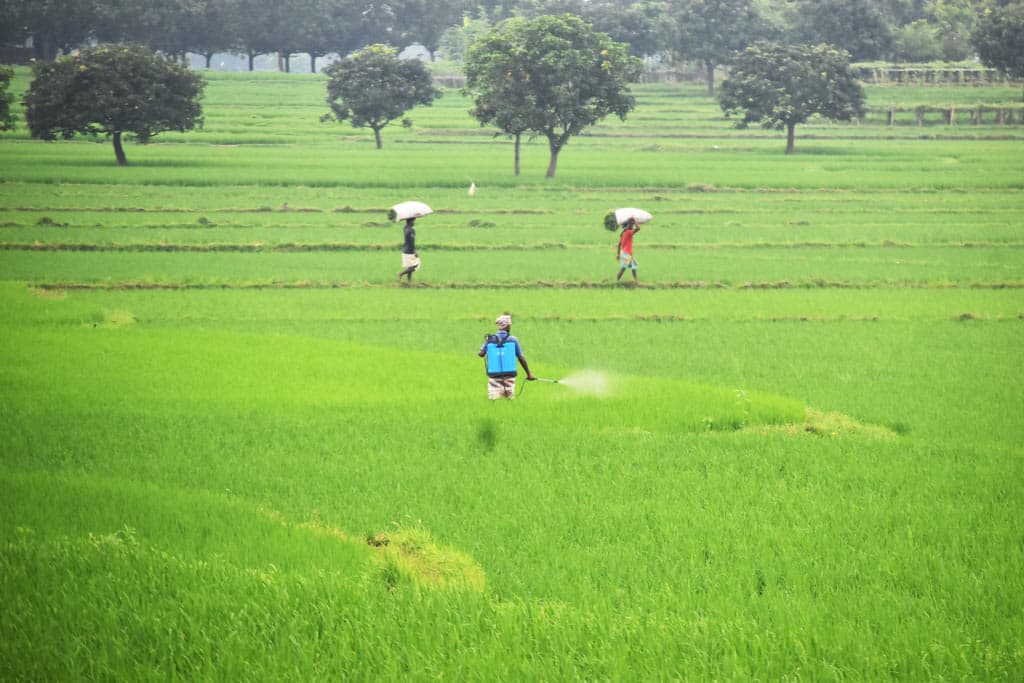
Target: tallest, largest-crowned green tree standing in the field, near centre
{"points": [[565, 77]]}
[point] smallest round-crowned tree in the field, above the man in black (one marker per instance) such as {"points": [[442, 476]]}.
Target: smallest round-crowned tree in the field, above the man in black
{"points": [[373, 88]]}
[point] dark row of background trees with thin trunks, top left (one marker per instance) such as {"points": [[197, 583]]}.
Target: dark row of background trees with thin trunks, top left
{"points": [[252, 28]]}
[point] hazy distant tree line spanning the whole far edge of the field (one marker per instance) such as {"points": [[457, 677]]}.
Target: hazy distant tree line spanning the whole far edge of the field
{"points": [[706, 31]]}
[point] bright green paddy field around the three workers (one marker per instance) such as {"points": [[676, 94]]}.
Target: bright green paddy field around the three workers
{"points": [[236, 448]]}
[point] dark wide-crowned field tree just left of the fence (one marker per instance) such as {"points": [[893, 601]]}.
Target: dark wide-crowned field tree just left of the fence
{"points": [[784, 86]]}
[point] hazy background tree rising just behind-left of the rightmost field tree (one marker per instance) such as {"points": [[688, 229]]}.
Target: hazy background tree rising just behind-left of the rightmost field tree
{"points": [[713, 31]]}
